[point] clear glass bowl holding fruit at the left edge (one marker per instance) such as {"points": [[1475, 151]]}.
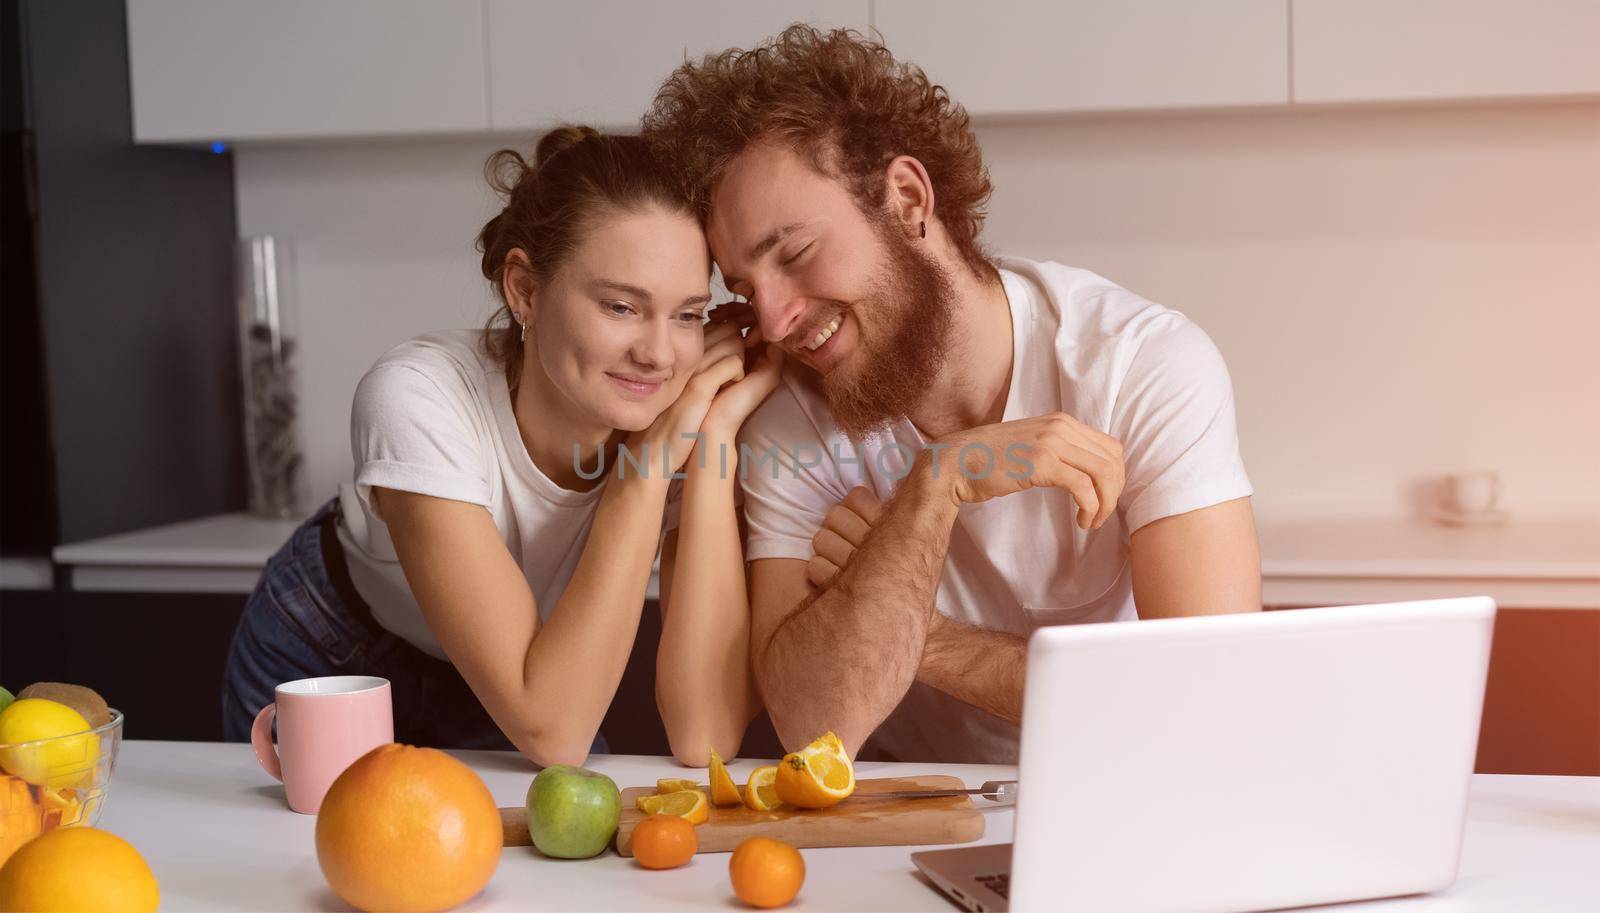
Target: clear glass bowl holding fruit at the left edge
{"points": [[55, 783]]}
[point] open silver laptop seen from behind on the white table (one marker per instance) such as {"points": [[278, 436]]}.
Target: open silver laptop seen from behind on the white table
{"points": [[1239, 763]]}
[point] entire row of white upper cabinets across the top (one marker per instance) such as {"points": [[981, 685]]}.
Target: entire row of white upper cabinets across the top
{"points": [[305, 70]]}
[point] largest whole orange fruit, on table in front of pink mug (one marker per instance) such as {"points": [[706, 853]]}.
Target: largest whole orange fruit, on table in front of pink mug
{"points": [[410, 831]]}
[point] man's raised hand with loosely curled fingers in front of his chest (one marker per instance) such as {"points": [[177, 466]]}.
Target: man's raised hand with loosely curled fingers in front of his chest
{"points": [[1046, 452]]}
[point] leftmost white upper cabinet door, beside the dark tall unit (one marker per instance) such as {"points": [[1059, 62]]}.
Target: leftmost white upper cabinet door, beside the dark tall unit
{"points": [[247, 70]]}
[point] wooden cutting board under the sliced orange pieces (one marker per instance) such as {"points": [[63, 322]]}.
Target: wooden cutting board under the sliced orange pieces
{"points": [[858, 821]]}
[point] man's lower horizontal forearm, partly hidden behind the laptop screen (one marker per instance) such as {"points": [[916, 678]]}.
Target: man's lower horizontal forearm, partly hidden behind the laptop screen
{"points": [[977, 666]]}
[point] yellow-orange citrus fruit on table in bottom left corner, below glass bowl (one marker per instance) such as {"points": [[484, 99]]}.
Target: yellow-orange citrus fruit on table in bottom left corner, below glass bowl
{"points": [[49, 874]]}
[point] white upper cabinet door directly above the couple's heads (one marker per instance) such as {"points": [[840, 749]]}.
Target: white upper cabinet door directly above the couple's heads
{"points": [[601, 63]]}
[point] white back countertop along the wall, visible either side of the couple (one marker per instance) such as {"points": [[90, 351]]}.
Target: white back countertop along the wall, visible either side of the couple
{"points": [[1524, 564]]}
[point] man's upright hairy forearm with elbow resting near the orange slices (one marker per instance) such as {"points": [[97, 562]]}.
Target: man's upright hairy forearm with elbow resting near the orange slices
{"points": [[847, 656]]}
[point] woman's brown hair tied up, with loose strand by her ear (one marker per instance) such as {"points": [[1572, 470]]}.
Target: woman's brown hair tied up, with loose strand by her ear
{"points": [[578, 175]]}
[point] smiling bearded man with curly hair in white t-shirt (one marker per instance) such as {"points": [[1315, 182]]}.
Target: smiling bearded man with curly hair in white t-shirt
{"points": [[972, 445]]}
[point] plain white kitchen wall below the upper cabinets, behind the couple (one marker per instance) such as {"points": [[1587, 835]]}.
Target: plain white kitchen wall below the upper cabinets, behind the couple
{"points": [[1398, 292]]}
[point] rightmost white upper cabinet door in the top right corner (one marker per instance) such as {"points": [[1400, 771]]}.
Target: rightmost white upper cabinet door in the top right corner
{"points": [[1417, 50]]}
